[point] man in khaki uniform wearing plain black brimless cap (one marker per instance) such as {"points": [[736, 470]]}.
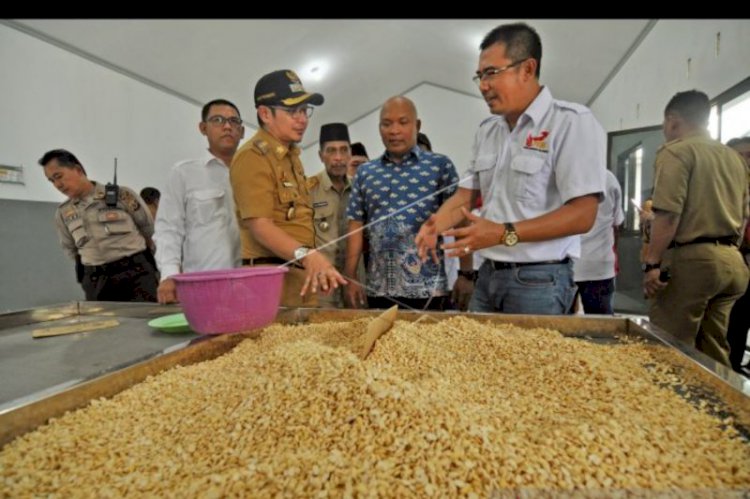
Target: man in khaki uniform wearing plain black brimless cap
{"points": [[330, 192]]}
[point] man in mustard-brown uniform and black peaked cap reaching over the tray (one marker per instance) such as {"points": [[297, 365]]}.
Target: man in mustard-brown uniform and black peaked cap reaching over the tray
{"points": [[271, 193]]}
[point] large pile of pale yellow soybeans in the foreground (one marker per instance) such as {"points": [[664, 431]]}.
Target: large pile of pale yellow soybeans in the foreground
{"points": [[455, 408]]}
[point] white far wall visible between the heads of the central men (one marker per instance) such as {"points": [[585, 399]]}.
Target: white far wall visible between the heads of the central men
{"points": [[449, 119]]}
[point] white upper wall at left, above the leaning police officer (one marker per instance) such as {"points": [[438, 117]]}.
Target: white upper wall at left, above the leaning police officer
{"points": [[51, 98]]}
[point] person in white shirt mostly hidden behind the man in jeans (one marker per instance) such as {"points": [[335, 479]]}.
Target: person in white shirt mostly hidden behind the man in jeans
{"points": [[595, 270]]}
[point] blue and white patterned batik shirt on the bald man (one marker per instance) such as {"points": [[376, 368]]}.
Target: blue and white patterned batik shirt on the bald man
{"points": [[394, 200]]}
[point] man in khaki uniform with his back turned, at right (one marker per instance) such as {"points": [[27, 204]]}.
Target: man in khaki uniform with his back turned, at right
{"points": [[700, 206]]}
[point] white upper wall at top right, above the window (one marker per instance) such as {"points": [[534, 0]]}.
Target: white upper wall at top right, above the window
{"points": [[658, 69]]}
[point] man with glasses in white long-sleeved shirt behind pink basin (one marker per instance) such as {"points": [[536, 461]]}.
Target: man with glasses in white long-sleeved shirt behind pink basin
{"points": [[195, 225]]}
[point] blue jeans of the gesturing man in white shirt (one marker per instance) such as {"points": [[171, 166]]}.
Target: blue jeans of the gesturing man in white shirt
{"points": [[545, 289]]}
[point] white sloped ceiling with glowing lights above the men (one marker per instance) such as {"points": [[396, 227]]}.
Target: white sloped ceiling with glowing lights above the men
{"points": [[362, 62]]}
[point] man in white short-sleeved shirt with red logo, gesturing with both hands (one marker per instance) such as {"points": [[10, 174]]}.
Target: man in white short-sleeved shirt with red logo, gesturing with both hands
{"points": [[539, 164]]}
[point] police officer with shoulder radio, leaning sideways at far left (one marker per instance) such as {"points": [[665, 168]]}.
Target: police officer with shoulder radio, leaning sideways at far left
{"points": [[110, 241]]}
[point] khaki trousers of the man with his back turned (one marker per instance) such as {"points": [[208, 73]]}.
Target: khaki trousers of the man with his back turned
{"points": [[706, 280]]}
